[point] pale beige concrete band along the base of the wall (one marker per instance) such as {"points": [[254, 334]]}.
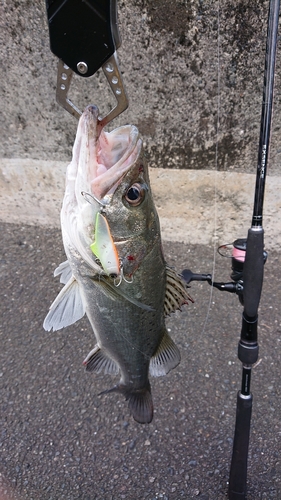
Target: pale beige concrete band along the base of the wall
{"points": [[203, 207]]}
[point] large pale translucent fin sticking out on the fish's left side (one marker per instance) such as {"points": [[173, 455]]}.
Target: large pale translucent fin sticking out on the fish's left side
{"points": [[66, 309]]}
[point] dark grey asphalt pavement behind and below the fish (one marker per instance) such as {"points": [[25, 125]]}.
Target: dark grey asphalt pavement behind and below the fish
{"points": [[61, 441]]}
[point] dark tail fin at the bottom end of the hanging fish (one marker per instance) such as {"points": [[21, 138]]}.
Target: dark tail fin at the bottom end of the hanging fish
{"points": [[140, 402]]}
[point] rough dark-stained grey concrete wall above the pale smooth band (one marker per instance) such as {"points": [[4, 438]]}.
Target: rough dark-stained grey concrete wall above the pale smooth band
{"points": [[171, 69]]}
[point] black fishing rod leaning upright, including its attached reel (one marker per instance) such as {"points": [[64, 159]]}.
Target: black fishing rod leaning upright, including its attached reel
{"points": [[248, 259]]}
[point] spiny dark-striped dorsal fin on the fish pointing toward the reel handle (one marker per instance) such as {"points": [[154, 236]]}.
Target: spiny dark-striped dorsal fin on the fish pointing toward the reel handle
{"points": [[176, 292]]}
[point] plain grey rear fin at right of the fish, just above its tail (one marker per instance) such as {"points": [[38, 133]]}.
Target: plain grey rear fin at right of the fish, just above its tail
{"points": [[166, 357]]}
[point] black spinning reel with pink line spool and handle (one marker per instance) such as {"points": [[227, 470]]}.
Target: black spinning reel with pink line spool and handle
{"points": [[237, 251]]}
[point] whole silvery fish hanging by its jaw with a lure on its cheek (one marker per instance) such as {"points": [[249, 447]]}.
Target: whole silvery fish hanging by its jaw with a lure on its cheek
{"points": [[115, 271]]}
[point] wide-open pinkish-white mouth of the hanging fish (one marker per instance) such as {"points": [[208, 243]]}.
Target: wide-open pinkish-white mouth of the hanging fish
{"points": [[110, 154]]}
